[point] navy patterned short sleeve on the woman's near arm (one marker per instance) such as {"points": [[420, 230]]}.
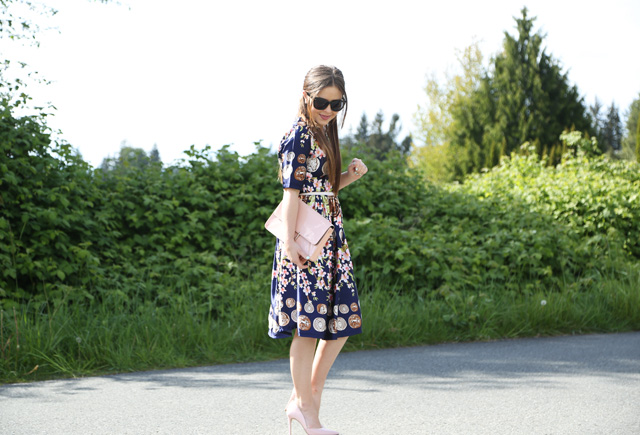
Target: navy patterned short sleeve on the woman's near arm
{"points": [[293, 154]]}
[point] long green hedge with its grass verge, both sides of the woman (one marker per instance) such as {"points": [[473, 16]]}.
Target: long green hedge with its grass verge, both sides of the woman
{"points": [[180, 254]]}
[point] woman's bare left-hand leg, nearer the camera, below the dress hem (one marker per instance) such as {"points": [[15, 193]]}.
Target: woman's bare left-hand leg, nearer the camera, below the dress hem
{"points": [[301, 361]]}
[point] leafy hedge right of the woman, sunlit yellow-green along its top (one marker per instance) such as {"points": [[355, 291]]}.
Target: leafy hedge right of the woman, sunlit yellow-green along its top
{"points": [[481, 233]]}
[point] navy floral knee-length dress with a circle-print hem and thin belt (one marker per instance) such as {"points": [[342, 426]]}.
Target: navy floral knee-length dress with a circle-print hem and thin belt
{"points": [[320, 301]]}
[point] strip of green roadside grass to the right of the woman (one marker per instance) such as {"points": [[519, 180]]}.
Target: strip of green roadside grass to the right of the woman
{"points": [[494, 314]]}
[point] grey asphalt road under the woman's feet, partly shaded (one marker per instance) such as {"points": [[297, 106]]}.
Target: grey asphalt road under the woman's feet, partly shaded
{"points": [[563, 385]]}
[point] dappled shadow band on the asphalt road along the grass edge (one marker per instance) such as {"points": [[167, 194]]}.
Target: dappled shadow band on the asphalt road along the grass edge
{"points": [[501, 364]]}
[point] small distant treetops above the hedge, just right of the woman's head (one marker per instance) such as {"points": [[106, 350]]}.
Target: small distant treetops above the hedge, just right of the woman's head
{"points": [[371, 139]]}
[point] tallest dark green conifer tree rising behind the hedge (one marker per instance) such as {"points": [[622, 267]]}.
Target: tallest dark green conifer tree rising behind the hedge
{"points": [[525, 96]]}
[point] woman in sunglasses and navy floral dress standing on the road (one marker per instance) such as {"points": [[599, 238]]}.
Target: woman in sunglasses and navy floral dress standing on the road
{"points": [[318, 300]]}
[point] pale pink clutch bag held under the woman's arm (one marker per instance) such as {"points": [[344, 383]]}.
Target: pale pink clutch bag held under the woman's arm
{"points": [[312, 230]]}
